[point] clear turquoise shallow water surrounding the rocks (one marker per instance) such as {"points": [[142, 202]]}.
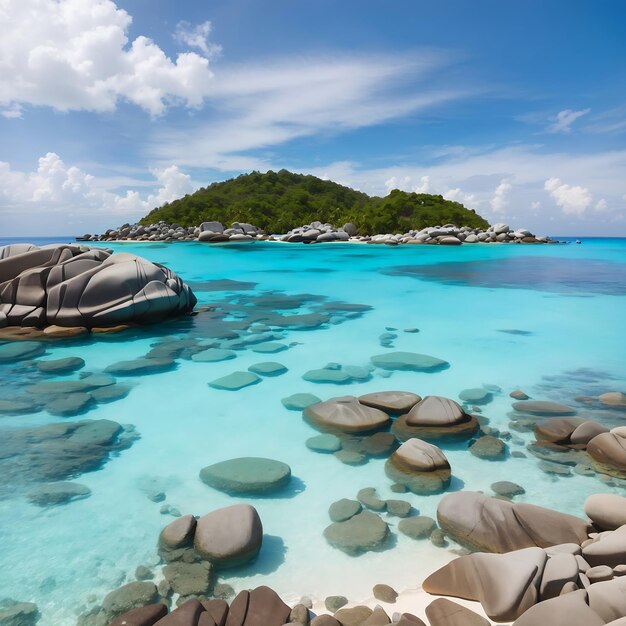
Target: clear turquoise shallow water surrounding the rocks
{"points": [[571, 345]]}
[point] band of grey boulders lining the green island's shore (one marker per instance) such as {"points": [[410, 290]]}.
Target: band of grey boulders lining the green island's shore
{"points": [[317, 232]]}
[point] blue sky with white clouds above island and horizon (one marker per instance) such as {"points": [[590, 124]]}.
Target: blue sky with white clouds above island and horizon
{"points": [[515, 108]]}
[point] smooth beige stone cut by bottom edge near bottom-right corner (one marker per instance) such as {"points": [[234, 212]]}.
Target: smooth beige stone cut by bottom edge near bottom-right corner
{"points": [[570, 609]]}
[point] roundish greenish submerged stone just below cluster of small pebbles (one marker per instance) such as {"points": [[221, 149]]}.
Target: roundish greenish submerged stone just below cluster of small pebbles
{"points": [[364, 532]]}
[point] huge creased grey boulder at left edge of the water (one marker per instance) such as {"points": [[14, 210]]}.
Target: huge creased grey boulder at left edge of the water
{"points": [[77, 286]]}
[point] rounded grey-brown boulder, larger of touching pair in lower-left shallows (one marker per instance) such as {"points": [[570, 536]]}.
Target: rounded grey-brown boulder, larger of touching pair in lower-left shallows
{"points": [[229, 536]]}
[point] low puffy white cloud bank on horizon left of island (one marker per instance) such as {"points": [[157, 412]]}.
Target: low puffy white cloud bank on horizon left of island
{"points": [[57, 187]]}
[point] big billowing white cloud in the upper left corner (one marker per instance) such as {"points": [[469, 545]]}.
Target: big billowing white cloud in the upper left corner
{"points": [[76, 55]]}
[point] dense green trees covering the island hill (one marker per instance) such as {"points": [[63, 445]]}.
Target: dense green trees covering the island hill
{"points": [[280, 201]]}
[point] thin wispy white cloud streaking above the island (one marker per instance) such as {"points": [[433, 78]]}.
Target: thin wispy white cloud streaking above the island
{"points": [[262, 105]]}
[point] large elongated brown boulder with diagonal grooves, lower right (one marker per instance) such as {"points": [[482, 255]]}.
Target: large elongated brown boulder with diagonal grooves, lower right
{"points": [[494, 525]]}
